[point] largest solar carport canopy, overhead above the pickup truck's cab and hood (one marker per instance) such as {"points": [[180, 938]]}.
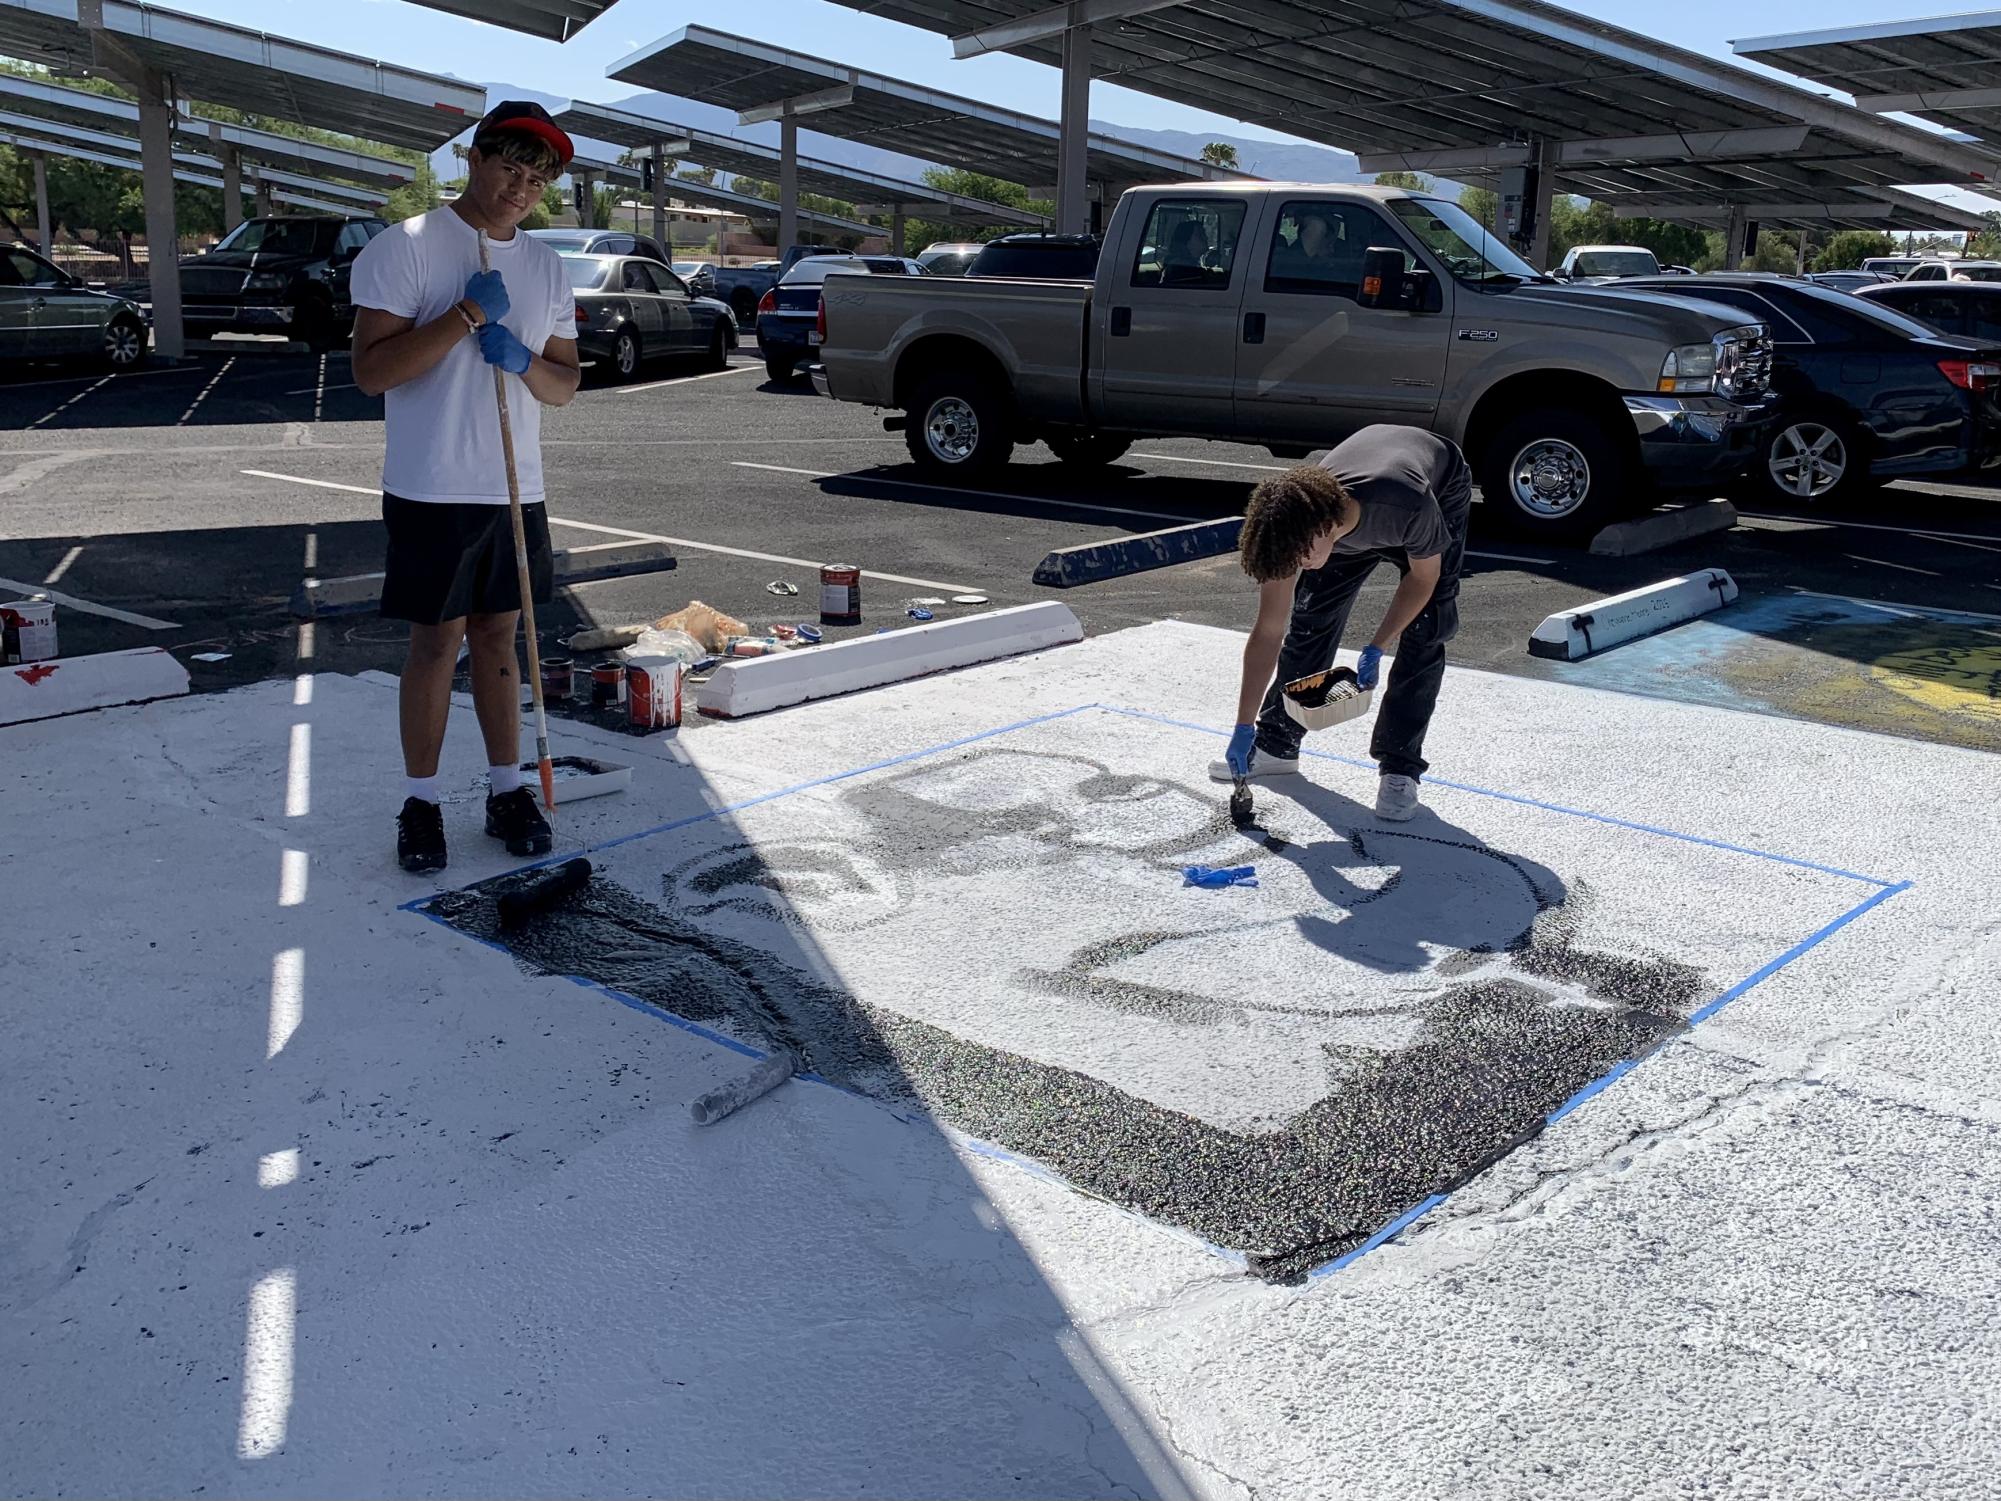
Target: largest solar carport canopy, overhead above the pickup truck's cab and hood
{"points": [[1462, 87]]}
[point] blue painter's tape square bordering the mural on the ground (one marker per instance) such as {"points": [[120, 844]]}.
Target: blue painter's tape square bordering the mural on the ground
{"points": [[1884, 892]]}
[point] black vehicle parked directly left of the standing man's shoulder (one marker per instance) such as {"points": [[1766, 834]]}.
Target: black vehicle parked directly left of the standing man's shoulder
{"points": [[281, 275]]}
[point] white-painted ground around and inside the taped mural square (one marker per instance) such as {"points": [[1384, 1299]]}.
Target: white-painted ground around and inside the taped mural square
{"points": [[309, 1196]]}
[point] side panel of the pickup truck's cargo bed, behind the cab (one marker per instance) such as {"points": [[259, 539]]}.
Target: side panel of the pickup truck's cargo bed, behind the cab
{"points": [[1034, 331]]}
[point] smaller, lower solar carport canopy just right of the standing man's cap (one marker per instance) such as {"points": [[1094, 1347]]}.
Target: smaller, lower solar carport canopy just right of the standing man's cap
{"points": [[871, 191]]}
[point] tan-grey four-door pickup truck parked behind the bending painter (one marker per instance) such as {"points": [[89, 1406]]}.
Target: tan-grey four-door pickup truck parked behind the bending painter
{"points": [[1292, 315]]}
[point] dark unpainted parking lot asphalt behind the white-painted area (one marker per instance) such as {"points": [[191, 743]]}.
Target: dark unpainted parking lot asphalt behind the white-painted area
{"points": [[183, 505]]}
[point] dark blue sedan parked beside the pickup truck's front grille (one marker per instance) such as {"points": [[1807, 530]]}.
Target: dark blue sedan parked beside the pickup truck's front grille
{"points": [[1866, 393]]}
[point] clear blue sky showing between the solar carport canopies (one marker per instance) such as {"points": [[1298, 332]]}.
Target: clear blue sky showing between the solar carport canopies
{"points": [[395, 31]]}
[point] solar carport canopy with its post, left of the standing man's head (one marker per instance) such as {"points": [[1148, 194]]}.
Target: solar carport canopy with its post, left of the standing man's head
{"points": [[163, 57]]}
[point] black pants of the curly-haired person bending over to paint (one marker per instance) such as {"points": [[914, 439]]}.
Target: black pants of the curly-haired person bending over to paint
{"points": [[1322, 613]]}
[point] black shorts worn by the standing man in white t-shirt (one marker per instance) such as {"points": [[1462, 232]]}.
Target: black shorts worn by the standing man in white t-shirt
{"points": [[451, 559]]}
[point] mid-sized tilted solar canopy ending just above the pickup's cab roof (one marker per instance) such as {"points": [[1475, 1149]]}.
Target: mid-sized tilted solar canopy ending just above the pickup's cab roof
{"points": [[771, 83]]}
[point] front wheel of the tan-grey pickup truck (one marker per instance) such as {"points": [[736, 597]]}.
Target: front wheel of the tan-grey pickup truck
{"points": [[1554, 473]]}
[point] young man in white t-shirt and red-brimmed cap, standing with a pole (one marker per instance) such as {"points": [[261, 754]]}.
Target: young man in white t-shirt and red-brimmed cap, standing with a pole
{"points": [[427, 329]]}
